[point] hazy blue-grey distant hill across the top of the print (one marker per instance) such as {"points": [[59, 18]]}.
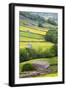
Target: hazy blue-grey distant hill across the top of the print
{"points": [[38, 19]]}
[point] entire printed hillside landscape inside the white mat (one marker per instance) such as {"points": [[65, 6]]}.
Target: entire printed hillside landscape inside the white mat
{"points": [[33, 44]]}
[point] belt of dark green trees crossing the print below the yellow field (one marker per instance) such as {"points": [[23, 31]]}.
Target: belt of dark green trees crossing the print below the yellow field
{"points": [[28, 54]]}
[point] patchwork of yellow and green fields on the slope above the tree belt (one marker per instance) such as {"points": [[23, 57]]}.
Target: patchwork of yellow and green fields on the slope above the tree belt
{"points": [[33, 35]]}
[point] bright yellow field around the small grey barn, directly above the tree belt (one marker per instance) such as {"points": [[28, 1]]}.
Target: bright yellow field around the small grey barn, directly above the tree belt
{"points": [[39, 45]]}
